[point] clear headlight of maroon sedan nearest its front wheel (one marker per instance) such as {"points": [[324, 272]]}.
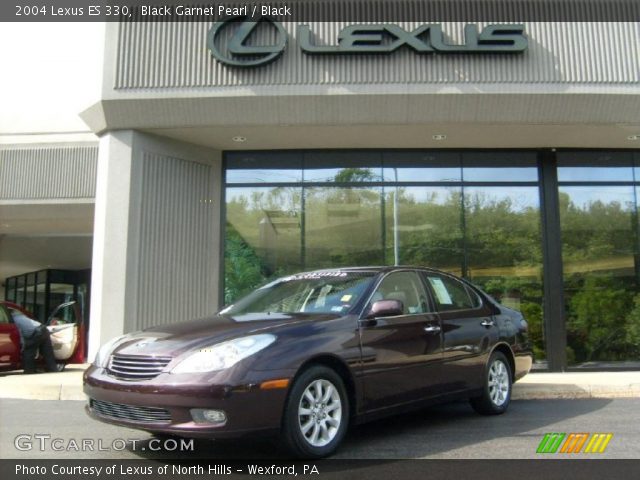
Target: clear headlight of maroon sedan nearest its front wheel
{"points": [[223, 355]]}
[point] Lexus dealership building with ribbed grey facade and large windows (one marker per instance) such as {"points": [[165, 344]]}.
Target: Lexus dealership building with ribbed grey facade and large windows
{"points": [[222, 155]]}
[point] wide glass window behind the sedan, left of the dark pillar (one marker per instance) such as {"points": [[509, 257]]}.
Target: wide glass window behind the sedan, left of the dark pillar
{"points": [[475, 214]]}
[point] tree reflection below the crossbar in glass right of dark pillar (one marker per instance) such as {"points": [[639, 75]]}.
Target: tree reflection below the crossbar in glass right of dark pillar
{"points": [[599, 236]]}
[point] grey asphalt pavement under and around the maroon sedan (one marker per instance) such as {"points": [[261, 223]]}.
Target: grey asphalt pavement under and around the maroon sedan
{"points": [[442, 432]]}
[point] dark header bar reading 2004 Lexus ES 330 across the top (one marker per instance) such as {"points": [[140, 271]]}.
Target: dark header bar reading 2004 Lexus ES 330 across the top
{"points": [[321, 10]]}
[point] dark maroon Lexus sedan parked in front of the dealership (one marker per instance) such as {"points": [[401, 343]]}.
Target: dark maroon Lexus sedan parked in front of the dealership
{"points": [[308, 354]]}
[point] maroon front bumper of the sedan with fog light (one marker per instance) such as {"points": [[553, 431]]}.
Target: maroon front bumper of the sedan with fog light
{"points": [[248, 408]]}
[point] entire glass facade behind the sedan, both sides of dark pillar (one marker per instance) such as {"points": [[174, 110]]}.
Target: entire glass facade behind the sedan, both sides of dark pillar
{"points": [[475, 214]]}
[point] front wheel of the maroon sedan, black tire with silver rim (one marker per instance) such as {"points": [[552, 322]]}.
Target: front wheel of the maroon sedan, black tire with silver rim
{"points": [[322, 416]]}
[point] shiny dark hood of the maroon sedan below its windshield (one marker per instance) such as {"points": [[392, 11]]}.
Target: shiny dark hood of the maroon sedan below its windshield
{"points": [[177, 338]]}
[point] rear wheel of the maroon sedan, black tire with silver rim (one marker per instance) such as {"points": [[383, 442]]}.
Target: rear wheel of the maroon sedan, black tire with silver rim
{"points": [[496, 389]]}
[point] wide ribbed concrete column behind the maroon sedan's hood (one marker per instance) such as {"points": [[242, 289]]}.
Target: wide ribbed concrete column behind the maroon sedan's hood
{"points": [[156, 249]]}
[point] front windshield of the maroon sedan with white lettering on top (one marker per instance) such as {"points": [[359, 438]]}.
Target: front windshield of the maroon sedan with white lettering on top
{"points": [[315, 292]]}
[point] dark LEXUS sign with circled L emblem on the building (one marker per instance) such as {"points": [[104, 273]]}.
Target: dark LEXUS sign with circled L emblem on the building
{"points": [[242, 43]]}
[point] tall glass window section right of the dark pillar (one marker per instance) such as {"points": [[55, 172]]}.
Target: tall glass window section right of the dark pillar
{"points": [[598, 196]]}
